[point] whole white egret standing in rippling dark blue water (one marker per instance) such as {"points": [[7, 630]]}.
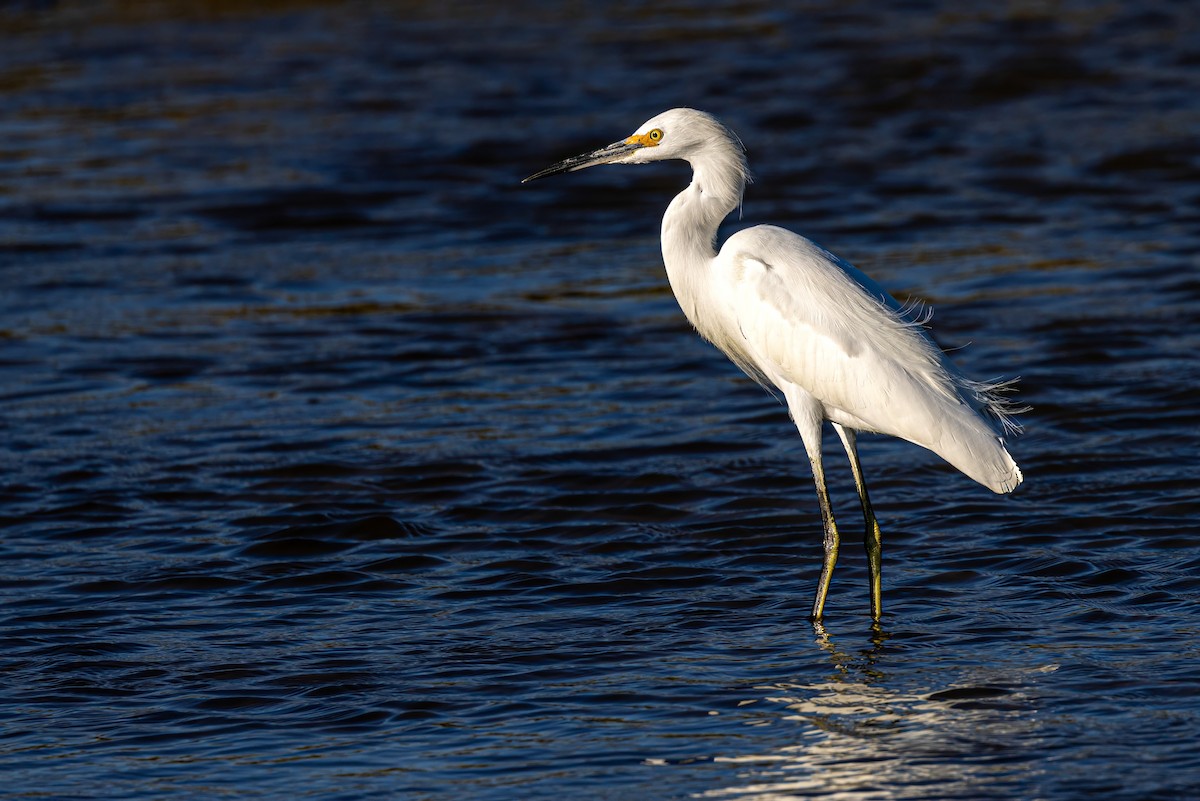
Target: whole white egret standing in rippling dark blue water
{"points": [[794, 316]]}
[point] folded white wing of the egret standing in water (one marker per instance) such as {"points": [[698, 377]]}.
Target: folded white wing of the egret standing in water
{"points": [[805, 317]]}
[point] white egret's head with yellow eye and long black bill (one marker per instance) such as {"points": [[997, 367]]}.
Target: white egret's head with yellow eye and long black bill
{"points": [[683, 134]]}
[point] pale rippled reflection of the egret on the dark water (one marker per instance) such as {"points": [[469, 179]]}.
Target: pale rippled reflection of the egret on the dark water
{"points": [[862, 738]]}
